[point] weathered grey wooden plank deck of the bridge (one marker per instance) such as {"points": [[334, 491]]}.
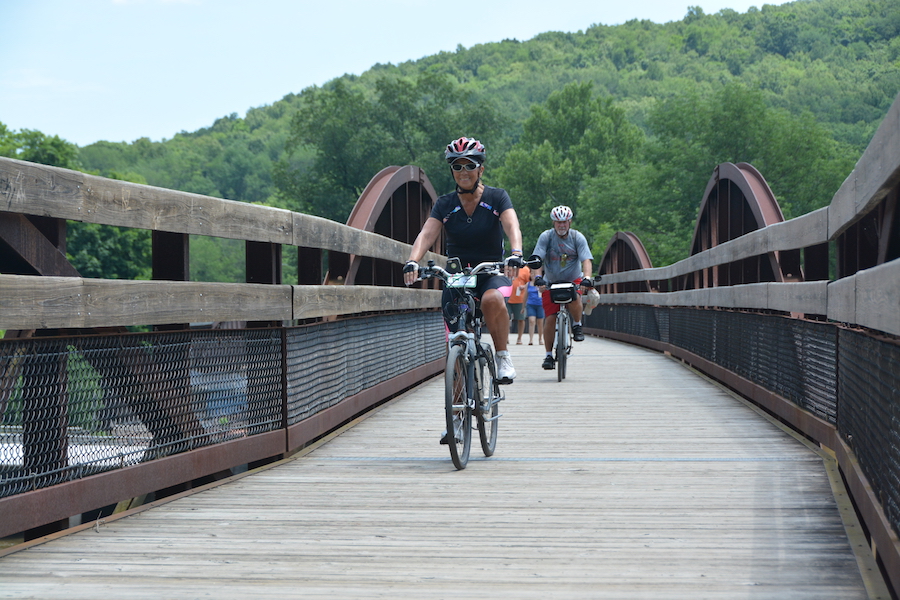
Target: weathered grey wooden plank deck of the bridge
{"points": [[634, 478]]}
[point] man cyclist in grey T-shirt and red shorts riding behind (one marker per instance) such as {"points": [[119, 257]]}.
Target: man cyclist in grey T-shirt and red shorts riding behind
{"points": [[567, 258]]}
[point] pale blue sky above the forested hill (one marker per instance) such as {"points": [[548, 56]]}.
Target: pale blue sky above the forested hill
{"points": [[119, 70]]}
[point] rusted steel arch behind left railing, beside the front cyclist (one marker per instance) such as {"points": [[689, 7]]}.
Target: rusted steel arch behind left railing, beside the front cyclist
{"points": [[395, 204]]}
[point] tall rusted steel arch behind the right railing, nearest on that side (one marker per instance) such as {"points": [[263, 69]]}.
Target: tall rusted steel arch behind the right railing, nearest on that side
{"points": [[737, 200]]}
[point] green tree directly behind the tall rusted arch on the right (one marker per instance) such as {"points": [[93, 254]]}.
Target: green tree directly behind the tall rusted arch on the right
{"points": [[658, 196]]}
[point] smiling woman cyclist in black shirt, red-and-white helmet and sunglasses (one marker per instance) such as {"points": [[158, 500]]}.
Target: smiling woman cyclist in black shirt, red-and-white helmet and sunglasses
{"points": [[474, 218]]}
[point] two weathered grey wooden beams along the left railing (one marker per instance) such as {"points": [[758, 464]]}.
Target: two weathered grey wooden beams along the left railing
{"points": [[72, 302]]}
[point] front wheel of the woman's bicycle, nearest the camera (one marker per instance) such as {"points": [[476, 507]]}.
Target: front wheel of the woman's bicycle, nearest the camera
{"points": [[457, 382]]}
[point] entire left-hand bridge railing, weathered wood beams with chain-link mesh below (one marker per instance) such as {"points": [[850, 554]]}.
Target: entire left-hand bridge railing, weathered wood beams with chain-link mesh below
{"points": [[179, 406]]}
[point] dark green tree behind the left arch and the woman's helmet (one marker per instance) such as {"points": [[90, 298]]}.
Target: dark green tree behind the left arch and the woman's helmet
{"points": [[352, 133]]}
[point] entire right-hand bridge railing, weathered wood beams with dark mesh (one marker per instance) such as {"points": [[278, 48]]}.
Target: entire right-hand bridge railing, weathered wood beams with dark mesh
{"points": [[822, 355]]}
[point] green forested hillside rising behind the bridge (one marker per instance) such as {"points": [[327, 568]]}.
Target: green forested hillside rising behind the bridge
{"points": [[625, 123]]}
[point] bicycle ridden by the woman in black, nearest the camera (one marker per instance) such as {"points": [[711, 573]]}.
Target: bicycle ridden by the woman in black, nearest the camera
{"points": [[470, 378]]}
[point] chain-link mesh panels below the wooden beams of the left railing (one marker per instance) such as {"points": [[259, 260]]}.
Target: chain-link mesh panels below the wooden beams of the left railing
{"points": [[76, 406]]}
